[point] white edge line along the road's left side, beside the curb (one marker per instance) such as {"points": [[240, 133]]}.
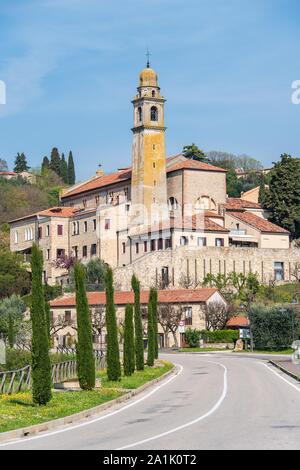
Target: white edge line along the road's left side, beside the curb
{"points": [[95, 420]]}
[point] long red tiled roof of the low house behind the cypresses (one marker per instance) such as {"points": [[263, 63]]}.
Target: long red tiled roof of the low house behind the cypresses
{"points": [[123, 298]]}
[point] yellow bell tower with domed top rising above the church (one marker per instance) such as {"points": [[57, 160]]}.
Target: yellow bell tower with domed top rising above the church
{"points": [[148, 185]]}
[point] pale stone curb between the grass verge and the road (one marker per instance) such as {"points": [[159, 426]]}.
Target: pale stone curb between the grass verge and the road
{"points": [[77, 417]]}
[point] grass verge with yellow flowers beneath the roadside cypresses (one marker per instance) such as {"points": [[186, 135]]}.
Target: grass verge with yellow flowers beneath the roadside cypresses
{"points": [[18, 411]]}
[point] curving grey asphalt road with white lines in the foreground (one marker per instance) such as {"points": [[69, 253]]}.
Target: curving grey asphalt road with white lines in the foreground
{"points": [[217, 401]]}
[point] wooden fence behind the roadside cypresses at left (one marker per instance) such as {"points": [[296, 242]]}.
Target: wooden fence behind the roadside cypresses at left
{"points": [[19, 380]]}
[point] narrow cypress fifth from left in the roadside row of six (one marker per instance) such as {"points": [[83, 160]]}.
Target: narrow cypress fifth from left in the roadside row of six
{"points": [[139, 343]]}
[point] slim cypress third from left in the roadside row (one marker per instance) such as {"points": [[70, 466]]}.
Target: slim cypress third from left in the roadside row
{"points": [[113, 354]]}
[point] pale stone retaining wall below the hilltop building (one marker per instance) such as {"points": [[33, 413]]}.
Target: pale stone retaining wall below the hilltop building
{"points": [[199, 262]]}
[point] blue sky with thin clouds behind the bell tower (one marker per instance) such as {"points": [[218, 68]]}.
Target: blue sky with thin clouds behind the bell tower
{"points": [[71, 67]]}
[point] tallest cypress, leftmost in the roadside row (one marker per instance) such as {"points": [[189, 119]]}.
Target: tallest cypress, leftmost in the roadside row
{"points": [[41, 366]]}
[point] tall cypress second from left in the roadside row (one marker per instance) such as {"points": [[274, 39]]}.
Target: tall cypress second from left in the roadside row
{"points": [[84, 351]]}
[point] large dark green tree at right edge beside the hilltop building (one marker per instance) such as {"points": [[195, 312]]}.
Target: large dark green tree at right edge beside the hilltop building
{"points": [[283, 199]]}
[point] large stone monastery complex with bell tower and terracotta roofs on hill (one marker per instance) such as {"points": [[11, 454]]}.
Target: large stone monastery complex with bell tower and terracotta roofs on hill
{"points": [[163, 218]]}
